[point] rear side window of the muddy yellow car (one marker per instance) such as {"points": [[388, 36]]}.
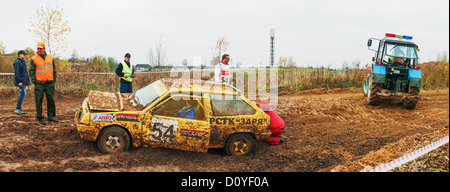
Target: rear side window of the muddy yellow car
{"points": [[230, 105]]}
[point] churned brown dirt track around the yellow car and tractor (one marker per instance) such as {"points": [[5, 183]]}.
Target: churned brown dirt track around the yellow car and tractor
{"points": [[323, 131]]}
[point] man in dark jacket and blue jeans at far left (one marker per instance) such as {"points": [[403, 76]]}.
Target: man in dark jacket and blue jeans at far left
{"points": [[21, 79]]}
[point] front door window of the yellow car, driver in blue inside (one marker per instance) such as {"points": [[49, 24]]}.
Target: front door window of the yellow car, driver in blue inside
{"points": [[182, 107]]}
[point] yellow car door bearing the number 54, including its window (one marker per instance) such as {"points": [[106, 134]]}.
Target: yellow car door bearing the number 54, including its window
{"points": [[171, 124]]}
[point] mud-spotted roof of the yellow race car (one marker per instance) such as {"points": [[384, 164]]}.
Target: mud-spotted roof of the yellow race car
{"points": [[180, 85]]}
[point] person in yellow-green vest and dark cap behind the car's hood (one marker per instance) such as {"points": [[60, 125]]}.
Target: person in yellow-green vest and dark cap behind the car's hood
{"points": [[126, 73]]}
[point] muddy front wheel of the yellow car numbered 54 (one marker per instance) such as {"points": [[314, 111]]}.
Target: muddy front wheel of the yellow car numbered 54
{"points": [[113, 139]]}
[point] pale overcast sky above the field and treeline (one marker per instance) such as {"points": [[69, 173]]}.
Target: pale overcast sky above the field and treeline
{"points": [[314, 32]]}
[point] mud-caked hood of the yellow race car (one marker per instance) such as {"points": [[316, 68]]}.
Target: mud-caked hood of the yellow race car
{"points": [[107, 101]]}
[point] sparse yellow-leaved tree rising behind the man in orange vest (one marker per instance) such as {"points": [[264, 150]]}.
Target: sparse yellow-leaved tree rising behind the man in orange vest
{"points": [[49, 27]]}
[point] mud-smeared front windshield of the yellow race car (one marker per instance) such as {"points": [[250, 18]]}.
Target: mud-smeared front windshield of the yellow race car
{"points": [[149, 93]]}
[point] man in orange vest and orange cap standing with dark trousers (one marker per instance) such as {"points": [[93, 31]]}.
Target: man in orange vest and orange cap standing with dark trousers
{"points": [[43, 76]]}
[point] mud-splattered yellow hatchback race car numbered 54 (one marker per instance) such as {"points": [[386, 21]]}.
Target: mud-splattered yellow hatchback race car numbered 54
{"points": [[189, 115]]}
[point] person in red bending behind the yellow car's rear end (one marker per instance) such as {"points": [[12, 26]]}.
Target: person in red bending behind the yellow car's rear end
{"points": [[276, 124]]}
